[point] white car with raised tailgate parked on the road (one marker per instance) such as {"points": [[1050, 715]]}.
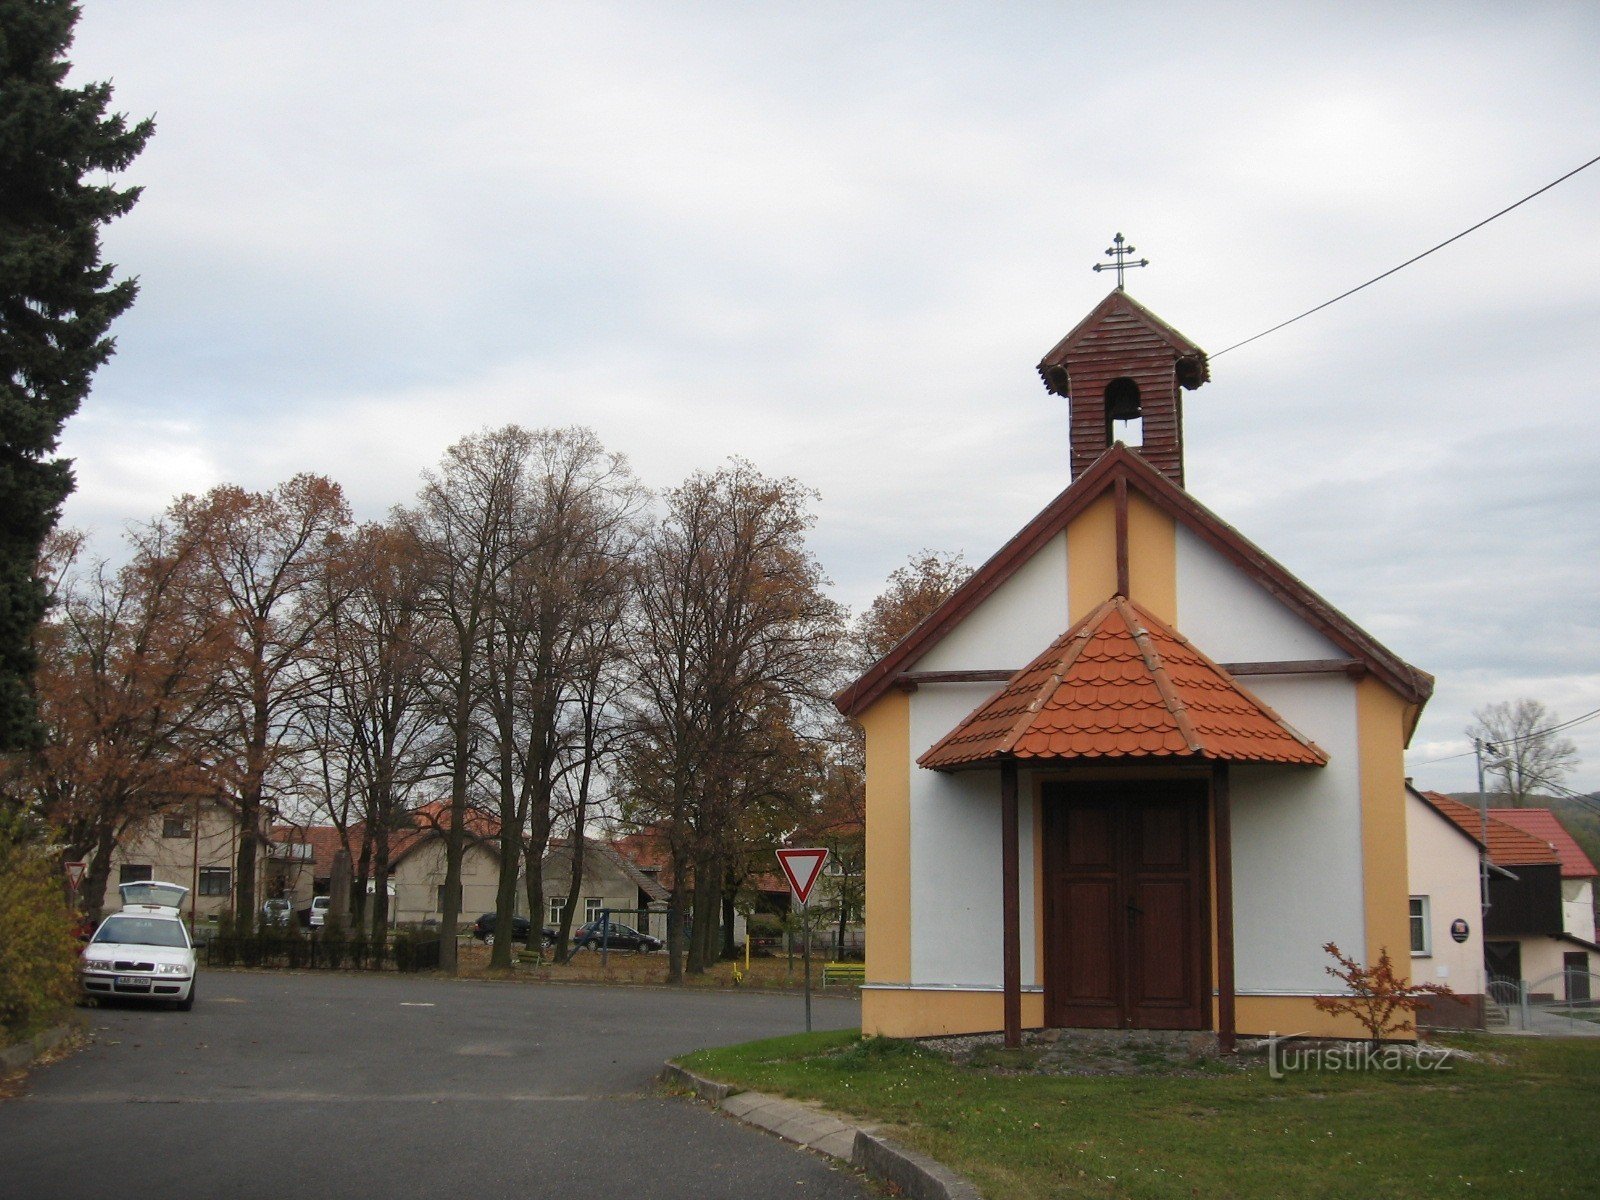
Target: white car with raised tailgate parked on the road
{"points": [[143, 953]]}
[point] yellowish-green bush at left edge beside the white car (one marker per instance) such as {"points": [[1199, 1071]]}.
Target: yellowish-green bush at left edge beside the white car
{"points": [[39, 956]]}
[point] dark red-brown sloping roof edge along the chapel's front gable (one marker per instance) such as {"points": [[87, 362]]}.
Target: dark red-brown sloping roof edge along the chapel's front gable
{"points": [[1414, 686]]}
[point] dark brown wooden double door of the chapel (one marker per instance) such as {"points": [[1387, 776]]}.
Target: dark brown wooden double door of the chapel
{"points": [[1127, 902]]}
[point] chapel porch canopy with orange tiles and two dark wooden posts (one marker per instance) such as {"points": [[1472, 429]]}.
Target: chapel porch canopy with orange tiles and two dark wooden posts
{"points": [[1124, 687]]}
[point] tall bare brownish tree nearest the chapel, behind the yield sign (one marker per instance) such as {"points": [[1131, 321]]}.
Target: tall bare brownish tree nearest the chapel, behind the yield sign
{"points": [[734, 626]]}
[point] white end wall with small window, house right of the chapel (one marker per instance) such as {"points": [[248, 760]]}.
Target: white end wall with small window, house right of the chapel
{"points": [[1444, 866]]}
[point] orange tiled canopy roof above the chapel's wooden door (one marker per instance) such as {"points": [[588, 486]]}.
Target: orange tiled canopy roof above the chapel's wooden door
{"points": [[1122, 686]]}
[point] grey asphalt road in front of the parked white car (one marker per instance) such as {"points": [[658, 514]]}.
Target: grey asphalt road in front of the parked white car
{"points": [[386, 1089]]}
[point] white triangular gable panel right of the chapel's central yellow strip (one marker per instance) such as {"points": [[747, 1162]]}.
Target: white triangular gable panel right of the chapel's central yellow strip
{"points": [[1233, 618]]}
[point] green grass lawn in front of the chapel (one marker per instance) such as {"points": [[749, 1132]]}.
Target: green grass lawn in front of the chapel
{"points": [[1521, 1126]]}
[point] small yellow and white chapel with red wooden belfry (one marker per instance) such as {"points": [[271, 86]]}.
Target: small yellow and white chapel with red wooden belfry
{"points": [[1134, 774]]}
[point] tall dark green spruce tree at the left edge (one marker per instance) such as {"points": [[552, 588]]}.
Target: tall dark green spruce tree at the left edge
{"points": [[57, 302]]}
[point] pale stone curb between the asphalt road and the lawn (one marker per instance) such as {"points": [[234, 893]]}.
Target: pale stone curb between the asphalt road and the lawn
{"points": [[916, 1175]]}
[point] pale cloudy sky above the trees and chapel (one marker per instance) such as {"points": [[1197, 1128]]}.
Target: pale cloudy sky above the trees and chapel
{"points": [[836, 239]]}
